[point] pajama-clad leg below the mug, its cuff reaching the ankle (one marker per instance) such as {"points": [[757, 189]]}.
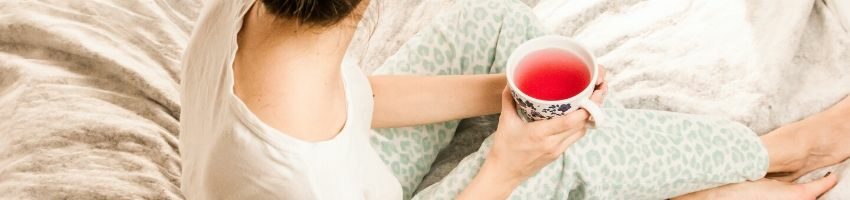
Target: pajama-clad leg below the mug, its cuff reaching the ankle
{"points": [[642, 155]]}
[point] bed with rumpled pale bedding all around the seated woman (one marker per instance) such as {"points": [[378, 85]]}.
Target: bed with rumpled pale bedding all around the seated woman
{"points": [[89, 100]]}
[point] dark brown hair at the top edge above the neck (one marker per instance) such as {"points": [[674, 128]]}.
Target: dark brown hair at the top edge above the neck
{"points": [[312, 12]]}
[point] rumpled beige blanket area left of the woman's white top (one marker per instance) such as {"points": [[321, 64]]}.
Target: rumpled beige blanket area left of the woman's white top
{"points": [[89, 98]]}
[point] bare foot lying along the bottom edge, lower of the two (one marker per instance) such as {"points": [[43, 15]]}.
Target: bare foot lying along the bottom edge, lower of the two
{"points": [[766, 189]]}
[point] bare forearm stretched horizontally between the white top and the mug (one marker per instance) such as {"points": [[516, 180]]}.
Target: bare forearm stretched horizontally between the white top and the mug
{"points": [[405, 100]]}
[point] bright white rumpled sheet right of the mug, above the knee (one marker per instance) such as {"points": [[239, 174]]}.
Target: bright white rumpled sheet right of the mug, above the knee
{"points": [[764, 63]]}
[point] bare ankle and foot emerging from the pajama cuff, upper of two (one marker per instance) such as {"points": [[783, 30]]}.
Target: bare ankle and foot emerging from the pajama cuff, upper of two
{"points": [[825, 136]]}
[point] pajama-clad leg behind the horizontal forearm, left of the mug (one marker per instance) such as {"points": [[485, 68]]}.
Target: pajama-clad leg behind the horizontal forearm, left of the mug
{"points": [[471, 37]]}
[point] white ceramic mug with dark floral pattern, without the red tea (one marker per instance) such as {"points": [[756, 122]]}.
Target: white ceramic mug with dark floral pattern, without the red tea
{"points": [[533, 109]]}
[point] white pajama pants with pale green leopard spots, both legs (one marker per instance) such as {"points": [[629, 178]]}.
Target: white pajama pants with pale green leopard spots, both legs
{"points": [[639, 154]]}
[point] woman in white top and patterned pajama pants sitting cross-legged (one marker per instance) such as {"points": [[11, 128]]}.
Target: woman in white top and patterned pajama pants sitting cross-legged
{"points": [[273, 110]]}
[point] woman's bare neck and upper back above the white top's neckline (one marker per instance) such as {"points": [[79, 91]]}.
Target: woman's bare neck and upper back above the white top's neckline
{"points": [[289, 74]]}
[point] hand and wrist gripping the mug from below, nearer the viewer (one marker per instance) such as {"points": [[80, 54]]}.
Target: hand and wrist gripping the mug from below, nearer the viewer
{"points": [[520, 149]]}
